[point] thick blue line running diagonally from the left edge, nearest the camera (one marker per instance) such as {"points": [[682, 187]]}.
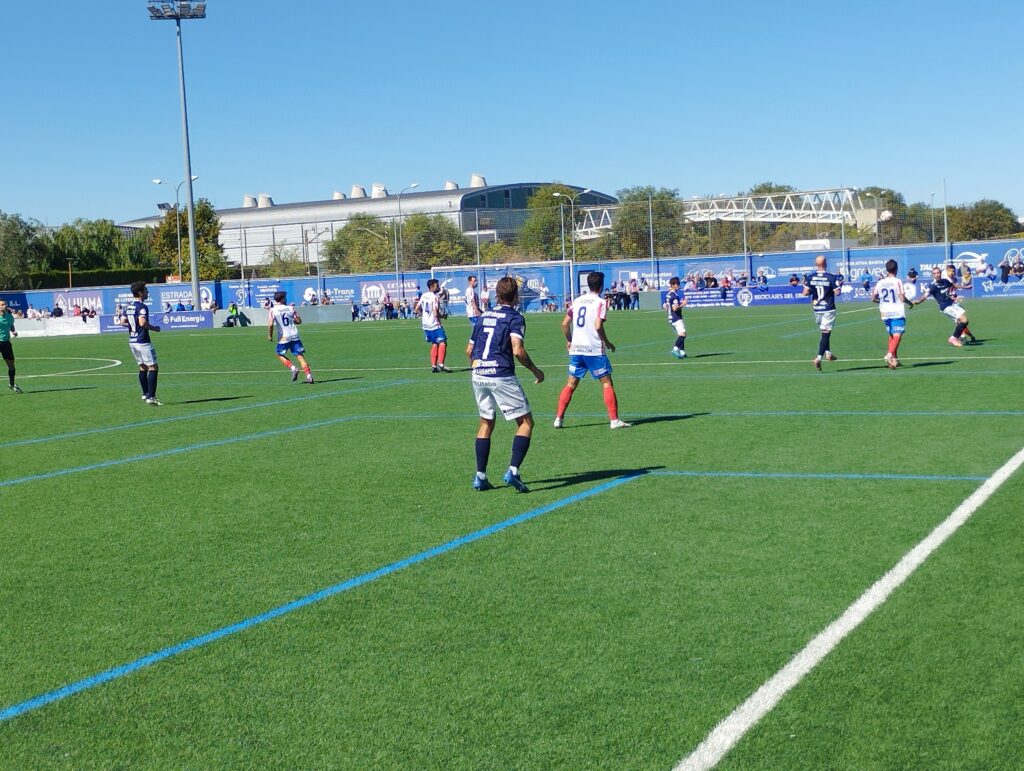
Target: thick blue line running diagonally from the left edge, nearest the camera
{"points": [[127, 669]]}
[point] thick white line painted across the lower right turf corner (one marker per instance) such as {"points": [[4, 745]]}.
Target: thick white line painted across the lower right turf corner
{"points": [[728, 734]]}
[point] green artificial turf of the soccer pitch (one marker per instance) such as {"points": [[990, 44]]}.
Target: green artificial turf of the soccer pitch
{"points": [[614, 631]]}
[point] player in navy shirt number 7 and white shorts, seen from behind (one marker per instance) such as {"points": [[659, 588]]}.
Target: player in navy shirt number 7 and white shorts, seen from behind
{"points": [[495, 341]]}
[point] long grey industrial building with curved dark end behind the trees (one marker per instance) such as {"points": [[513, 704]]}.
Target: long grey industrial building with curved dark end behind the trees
{"points": [[249, 234]]}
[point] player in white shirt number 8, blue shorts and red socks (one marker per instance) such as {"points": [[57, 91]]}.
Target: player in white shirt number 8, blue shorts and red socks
{"points": [[587, 341]]}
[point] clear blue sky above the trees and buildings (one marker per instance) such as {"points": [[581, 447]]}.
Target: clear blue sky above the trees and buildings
{"points": [[302, 99]]}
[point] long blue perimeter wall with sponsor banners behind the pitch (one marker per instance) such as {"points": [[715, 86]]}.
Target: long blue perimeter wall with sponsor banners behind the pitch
{"points": [[559, 278]]}
